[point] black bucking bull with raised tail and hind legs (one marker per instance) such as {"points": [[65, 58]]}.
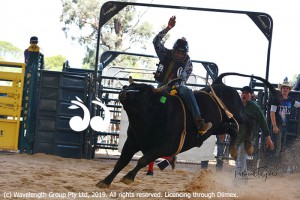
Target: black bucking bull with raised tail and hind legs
{"points": [[155, 127]]}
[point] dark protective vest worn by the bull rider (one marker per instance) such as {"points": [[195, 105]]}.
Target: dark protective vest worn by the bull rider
{"points": [[168, 69]]}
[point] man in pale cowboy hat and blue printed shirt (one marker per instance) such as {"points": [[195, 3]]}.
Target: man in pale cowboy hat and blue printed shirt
{"points": [[279, 112]]}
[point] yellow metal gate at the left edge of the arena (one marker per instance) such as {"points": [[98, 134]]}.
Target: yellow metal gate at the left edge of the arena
{"points": [[11, 91]]}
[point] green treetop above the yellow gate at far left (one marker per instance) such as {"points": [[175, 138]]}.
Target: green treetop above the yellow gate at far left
{"points": [[9, 52]]}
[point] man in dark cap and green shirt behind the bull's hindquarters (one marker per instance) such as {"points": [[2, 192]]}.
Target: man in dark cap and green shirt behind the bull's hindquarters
{"points": [[253, 109]]}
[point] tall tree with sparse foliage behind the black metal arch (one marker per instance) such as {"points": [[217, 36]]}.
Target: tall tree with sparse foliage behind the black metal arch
{"points": [[121, 33]]}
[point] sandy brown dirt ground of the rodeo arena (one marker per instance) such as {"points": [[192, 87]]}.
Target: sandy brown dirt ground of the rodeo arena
{"points": [[42, 176]]}
